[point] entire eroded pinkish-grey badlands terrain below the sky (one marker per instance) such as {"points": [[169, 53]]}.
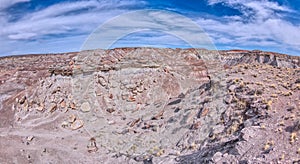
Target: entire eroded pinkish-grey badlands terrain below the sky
{"points": [[147, 105]]}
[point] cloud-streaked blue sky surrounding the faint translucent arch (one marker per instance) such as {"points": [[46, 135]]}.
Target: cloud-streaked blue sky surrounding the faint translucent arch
{"points": [[50, 26]]}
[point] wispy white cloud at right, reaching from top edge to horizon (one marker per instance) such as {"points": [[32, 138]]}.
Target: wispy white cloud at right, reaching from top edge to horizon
{"points": [[261, 24]]}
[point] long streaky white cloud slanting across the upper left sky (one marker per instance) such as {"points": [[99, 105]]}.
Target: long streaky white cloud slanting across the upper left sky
{"points": [[56, 20]]}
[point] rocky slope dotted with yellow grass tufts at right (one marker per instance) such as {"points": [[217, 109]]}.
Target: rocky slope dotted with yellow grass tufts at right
{"points": [[259, 124]]}
